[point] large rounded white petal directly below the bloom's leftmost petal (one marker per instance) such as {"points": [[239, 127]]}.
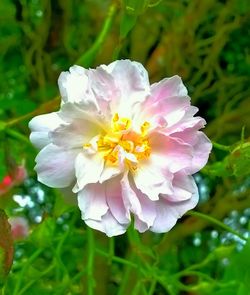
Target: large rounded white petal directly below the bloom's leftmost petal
{"points": [[55, 166]]}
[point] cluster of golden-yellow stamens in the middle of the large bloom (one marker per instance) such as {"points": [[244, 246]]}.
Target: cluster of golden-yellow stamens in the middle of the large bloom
{"points": [[121, 137]]}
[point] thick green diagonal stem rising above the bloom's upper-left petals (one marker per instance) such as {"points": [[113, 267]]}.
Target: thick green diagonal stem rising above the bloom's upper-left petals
{"points": [[88, 57]]}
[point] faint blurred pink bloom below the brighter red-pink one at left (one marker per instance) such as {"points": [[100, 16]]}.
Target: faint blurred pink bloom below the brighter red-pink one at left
{"points": [[19, 227]]}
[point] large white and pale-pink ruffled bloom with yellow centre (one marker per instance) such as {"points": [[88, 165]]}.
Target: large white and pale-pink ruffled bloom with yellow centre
{"points": [[124, 146]]}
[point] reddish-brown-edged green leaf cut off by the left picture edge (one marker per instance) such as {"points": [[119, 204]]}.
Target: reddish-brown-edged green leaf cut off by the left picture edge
{"points": [[6, 247]]}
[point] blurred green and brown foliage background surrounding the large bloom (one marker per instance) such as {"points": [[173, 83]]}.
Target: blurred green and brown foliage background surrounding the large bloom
{"points": [[207, 44]]}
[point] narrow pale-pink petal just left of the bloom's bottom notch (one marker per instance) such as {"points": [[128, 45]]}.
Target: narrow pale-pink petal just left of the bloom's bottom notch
{"points": [[115, 202]]}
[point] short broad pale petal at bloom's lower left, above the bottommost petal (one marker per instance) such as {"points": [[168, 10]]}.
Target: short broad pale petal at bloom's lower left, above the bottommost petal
{"points": [[92, 201]]}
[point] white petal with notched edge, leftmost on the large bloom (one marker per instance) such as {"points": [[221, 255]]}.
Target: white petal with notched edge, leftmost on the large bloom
{"points": [[40, 126]]}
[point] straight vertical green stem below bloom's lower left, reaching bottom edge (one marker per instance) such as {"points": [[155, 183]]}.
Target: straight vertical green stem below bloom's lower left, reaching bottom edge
{"points": [[90, 263]]}
